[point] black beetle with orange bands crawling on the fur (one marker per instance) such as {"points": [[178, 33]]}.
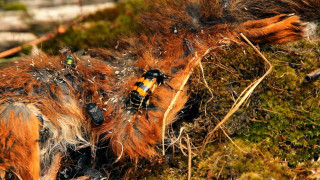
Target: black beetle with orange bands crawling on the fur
{"points": [[140, 92]]}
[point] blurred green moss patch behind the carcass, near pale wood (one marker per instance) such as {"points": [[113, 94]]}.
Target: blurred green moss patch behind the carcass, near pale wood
{"points": [[99, 29]]}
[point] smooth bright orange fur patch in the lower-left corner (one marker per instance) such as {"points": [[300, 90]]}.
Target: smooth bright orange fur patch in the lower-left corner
{"points": [[18, 134]]}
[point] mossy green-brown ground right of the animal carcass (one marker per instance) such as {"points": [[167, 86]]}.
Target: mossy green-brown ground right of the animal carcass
{"points": [[281, 119]]}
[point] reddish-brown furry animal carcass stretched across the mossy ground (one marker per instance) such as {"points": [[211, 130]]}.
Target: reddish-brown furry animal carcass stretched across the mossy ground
{"points": [[175, 35]]}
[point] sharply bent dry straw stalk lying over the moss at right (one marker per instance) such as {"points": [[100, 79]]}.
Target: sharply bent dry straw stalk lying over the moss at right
{"points": [[242, 98]]}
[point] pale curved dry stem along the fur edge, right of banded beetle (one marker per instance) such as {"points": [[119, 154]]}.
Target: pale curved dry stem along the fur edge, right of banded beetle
{"points": [[178, 93]]}
